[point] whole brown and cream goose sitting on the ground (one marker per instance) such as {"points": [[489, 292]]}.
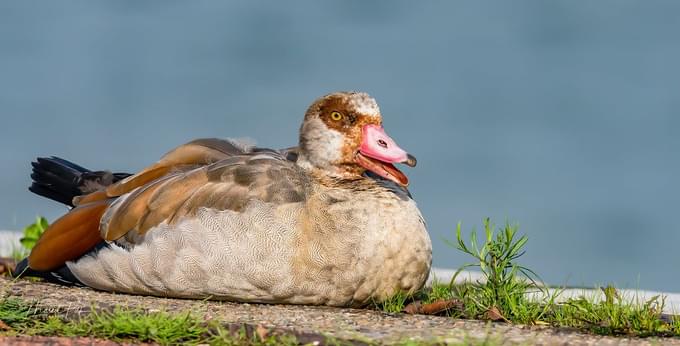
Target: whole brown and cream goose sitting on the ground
{"points": [[328, 222]]}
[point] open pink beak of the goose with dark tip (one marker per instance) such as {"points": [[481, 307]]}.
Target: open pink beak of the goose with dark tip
{"points": [[378, 152]]}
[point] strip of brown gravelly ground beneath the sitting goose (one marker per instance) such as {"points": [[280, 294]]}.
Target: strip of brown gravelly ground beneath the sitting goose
{"points": [[346, 324]]}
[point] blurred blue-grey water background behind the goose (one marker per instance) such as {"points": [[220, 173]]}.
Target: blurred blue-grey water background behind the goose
{"points": [[561, 116]]}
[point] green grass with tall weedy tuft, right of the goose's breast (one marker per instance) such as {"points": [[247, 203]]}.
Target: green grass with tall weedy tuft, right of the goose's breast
{"points": [[502, 296]]}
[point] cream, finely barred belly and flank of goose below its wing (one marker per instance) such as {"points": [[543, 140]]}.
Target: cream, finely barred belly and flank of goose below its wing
{"points": [[264, 254]]}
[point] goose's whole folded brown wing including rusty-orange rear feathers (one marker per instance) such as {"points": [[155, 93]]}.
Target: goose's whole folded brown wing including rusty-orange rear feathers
{"points": [[207, 173]]}
